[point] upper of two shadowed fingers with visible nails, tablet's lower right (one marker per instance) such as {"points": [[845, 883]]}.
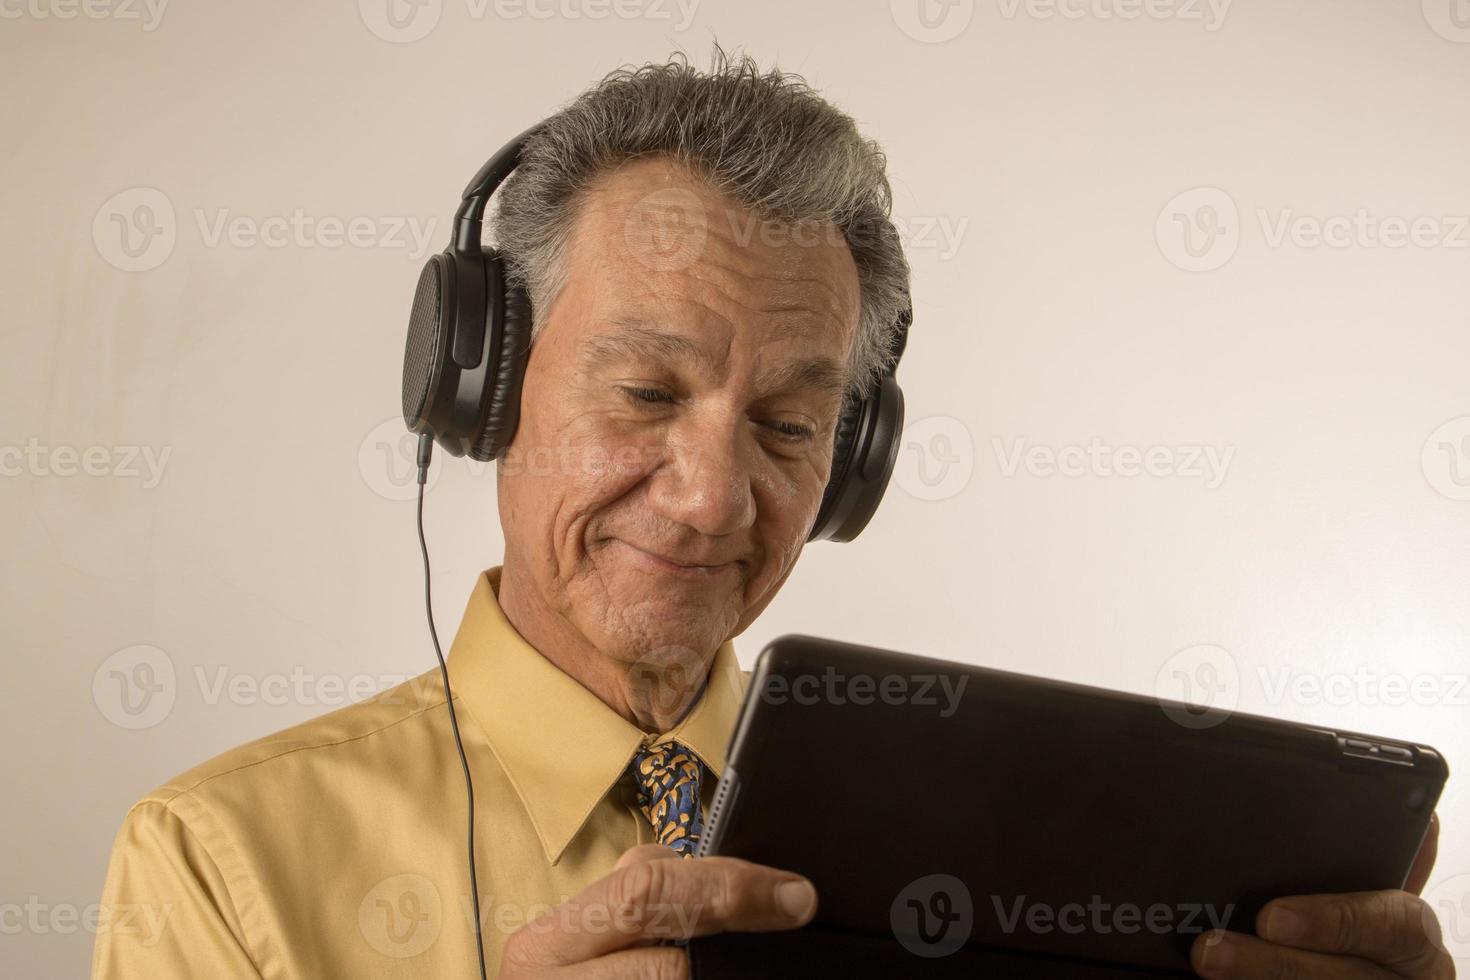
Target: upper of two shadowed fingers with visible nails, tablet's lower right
{"points": [[1393, 929]]}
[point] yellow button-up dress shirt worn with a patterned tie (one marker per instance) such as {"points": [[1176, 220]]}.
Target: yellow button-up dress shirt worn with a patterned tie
{"points": [[337, 849]]}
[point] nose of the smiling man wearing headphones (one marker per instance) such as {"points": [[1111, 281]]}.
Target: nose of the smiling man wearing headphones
{"points": [[705, 481]]}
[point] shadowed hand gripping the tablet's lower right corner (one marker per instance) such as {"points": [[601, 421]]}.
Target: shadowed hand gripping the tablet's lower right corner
{"points": [[1358, 937]]}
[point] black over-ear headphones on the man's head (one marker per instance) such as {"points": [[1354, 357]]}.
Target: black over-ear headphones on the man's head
{"points": [[470, 339]]}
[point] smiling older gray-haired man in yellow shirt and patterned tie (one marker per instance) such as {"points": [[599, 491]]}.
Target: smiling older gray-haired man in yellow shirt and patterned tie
{"points": [[675, 440]]}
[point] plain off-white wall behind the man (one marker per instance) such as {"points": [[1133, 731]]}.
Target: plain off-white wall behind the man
{"points": [[1050, 145]]}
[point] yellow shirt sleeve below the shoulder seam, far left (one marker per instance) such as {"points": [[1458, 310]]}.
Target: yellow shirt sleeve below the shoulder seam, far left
{"points": [[167, 913]]}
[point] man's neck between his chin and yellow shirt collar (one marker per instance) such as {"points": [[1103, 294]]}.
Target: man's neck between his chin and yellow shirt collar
{"points": [[653, 697]]}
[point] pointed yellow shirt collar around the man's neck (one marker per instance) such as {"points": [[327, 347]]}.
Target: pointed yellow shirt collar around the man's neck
{"points": [[562, 749]]}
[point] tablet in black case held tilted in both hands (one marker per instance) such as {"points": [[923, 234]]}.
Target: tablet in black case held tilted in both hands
{"points": [[959, 821]]}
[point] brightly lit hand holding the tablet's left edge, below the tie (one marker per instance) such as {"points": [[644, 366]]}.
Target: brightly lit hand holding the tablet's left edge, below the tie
{"points": [[612, 928]]}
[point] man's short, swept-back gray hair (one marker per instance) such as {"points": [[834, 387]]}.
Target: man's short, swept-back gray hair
{"points": [[767, 140]]}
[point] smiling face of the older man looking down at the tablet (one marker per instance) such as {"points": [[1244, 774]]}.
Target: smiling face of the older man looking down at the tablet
{"points": [[677, 417]]}
